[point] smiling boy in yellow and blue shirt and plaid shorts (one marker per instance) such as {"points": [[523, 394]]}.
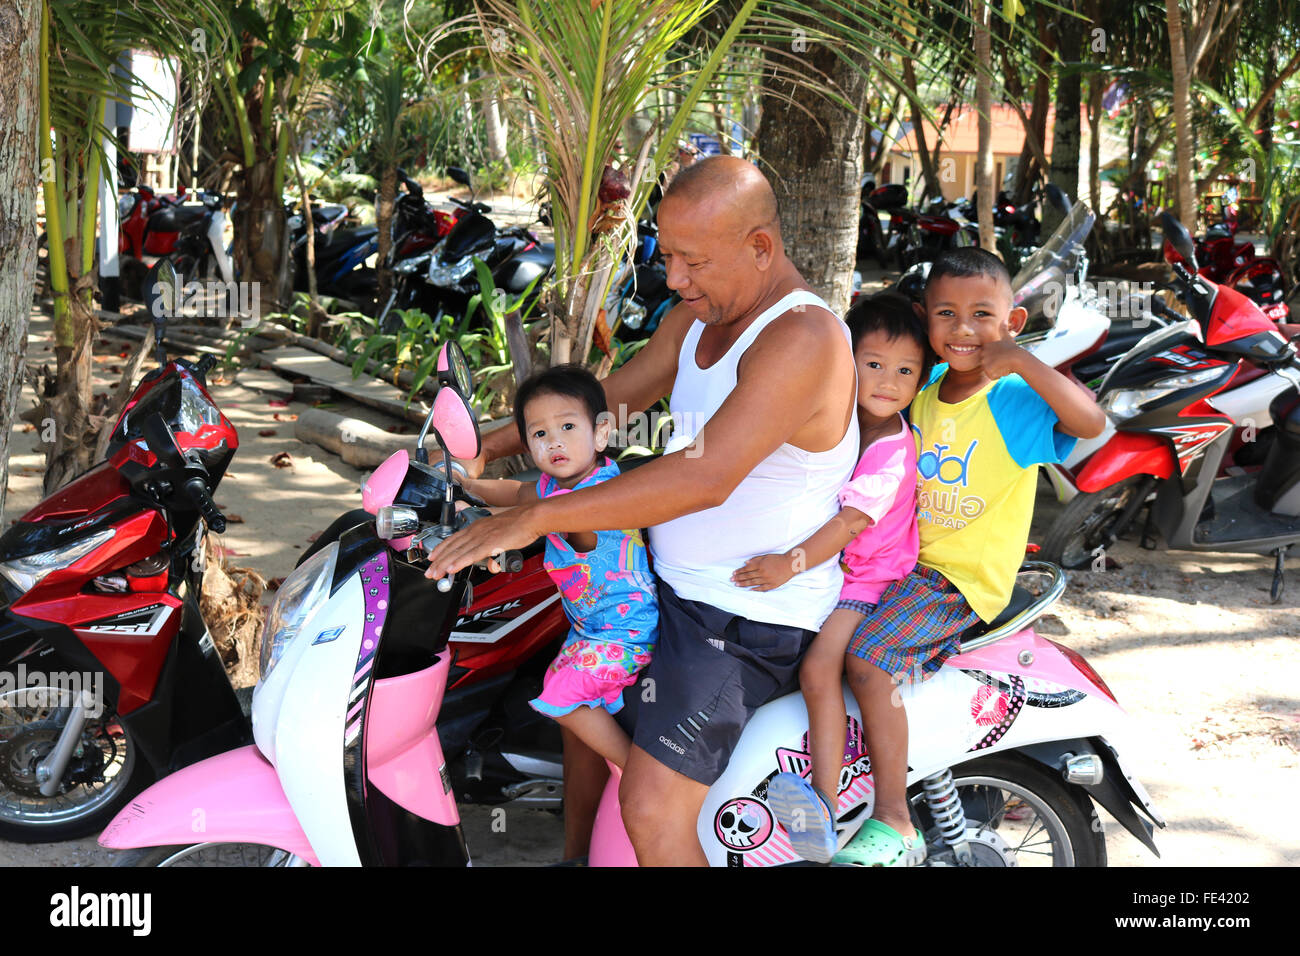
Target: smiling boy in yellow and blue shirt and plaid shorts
{"points": [[983, 425]]}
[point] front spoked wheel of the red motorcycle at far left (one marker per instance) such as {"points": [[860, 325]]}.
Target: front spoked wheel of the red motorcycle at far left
{"points": [[103, 773]]}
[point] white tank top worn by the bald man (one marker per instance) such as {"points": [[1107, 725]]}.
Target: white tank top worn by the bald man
{"points": [[787, 498]]}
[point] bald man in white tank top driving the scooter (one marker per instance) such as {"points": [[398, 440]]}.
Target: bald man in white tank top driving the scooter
{"points": [[762, 383]]}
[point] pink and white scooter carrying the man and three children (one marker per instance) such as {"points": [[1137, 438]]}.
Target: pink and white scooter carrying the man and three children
{"points": [[1012, 743]]}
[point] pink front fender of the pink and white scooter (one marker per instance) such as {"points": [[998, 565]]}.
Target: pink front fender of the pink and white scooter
{"points": [[232, 798]]}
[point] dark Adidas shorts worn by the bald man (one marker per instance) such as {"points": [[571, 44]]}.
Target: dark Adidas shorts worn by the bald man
{"points": [[712, 671]]}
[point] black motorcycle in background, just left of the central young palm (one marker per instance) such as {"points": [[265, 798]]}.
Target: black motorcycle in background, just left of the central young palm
{"points": [[441, 279]]}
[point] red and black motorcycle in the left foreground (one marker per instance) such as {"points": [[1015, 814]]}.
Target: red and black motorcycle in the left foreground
{"points": [[101, 589]]}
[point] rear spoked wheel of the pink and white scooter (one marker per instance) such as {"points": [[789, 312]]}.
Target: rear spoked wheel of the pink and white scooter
{"points": [[1017, 815]]}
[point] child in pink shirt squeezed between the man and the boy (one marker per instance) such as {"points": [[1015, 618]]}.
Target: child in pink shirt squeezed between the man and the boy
{"points": [[877, 529]]}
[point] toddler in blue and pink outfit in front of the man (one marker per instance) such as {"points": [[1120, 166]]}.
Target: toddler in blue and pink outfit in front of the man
{"points": [[604, 577]]}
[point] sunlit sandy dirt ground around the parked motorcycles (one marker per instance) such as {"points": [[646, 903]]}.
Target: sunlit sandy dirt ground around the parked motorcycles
{"points": [[1189, 643]]}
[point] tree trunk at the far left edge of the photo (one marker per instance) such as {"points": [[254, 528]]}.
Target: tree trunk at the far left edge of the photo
{"points": [[20, 37]]}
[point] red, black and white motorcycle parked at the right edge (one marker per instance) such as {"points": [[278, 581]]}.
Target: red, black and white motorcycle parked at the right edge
{"points": [[1181, 404]]}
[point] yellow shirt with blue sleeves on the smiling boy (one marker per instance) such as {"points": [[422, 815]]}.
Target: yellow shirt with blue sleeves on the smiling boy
{"points": [[977, 471]]}
